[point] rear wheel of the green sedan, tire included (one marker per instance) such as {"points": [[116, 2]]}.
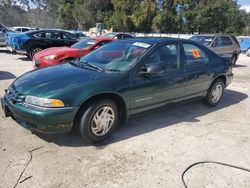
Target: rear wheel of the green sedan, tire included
{"points": [[215, 92]]}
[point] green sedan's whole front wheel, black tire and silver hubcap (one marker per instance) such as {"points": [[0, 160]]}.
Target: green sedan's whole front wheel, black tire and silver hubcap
{"points": [[97, 121]]}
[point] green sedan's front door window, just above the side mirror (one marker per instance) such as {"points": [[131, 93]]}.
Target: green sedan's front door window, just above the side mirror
{"points": [[165, 56]]}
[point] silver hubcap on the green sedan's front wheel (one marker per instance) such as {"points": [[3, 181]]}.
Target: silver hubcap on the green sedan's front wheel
{"points": [[102, 121]]}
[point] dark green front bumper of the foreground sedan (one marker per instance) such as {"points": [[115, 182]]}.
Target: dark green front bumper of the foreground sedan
{"points": [[44, 120]]}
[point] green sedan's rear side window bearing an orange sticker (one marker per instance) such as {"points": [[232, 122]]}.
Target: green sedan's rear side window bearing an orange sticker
{"points": [[194, 55]]}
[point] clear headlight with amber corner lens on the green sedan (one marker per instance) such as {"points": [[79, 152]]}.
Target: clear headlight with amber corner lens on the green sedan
{"points": [[37, 101]]}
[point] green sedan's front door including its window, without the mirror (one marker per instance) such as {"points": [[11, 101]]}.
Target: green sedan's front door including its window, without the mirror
{"points": [[150, 91]]}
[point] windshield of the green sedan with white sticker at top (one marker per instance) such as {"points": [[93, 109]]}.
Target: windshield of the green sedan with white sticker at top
{"points": [[117, 56]]}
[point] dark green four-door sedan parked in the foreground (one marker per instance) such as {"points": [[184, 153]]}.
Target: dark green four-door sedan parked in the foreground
{"points": [[101, 90]]}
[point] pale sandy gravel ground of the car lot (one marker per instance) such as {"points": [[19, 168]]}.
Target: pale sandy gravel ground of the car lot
{"points": [[151, 150]]}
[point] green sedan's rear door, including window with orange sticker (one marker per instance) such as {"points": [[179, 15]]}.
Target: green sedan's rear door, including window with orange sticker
{"points": [[197, 69]]}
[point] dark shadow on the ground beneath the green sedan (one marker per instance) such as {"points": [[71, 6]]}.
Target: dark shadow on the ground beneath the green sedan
{"points": [[151, 121]]}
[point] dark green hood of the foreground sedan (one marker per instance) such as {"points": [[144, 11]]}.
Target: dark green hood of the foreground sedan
{"points": [[50, 81]]}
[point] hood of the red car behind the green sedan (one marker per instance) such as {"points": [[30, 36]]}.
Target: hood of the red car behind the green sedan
{"points": [[56, 51]]}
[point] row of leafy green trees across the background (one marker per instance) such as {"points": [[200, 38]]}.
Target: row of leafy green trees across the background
{"points": [[172, 16]]}
